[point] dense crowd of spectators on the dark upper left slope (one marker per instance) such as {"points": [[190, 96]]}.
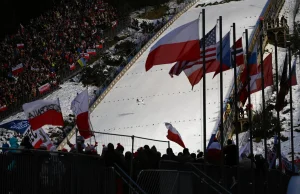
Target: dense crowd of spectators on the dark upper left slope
{"points": [[42, 51]]}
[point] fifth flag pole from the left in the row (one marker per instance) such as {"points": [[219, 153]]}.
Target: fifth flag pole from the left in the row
{"points": [[262, 86]]}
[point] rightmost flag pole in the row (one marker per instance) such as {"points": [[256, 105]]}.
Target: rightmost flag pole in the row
{"points": [[291, 106]]}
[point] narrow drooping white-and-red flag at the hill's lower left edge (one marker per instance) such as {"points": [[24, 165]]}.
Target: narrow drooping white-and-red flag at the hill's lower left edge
{"points": [[80, 107]]}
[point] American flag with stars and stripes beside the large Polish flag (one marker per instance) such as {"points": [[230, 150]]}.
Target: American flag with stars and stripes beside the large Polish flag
{"points": [[210, 54]]}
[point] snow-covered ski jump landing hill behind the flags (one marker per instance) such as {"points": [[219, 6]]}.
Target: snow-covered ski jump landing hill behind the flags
{"points": [[168, 99]]}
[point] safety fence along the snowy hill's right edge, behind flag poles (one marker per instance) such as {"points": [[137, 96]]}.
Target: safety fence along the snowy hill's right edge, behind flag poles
{"points": [[270, 11]]}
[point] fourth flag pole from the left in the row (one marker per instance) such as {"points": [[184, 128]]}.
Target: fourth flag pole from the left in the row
{"points": [[249, 111]]}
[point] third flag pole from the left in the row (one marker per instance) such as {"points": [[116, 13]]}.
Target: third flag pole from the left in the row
{"points": [[236, 103]]}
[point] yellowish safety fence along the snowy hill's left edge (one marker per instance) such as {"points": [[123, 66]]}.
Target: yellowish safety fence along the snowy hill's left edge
{"points": [[106, 87]]}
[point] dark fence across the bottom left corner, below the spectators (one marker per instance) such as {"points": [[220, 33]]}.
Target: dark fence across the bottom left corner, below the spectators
{"points": [[60, 173]]}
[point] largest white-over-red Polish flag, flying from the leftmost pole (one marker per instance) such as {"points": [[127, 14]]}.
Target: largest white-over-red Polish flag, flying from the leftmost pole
{"points": [[182, 41]]}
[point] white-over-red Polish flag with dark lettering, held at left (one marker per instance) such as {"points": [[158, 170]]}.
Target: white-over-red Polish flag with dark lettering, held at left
{"points": [[43, 112]]}
